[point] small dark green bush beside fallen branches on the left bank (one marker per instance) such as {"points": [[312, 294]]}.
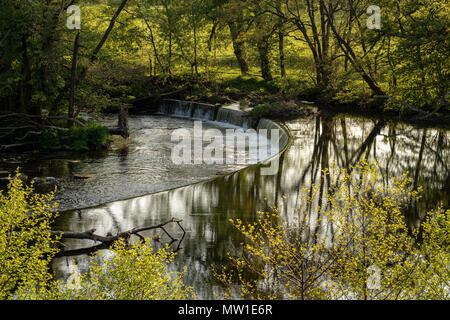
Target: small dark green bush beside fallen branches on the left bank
{"points": [[91, 137]]}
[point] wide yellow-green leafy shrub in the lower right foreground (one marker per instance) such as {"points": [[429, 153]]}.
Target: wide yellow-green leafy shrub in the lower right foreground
{"points": [[328, 251]]}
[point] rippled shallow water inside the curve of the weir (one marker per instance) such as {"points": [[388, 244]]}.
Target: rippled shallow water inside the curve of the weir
{"points": [[144, 167]]}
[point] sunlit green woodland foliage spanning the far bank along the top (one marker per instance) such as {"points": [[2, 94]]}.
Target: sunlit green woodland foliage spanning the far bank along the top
{"points": [[407, 58]]}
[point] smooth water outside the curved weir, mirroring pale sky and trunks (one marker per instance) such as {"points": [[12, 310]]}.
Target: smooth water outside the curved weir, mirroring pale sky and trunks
{"points": [[207, 206]]}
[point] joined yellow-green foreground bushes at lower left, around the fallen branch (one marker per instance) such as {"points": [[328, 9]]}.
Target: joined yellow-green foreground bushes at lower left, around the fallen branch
{"points": [[27, 247]]}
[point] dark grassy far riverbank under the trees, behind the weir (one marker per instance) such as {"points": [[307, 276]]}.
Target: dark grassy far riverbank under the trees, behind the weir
{"points": [[250, 92]]}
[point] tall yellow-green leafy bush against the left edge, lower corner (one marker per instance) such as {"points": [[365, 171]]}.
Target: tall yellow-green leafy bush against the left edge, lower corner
{"points": [[26, 245]]}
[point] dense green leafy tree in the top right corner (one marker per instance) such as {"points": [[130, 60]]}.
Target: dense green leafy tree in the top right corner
{"points": [[418, 35]]}
